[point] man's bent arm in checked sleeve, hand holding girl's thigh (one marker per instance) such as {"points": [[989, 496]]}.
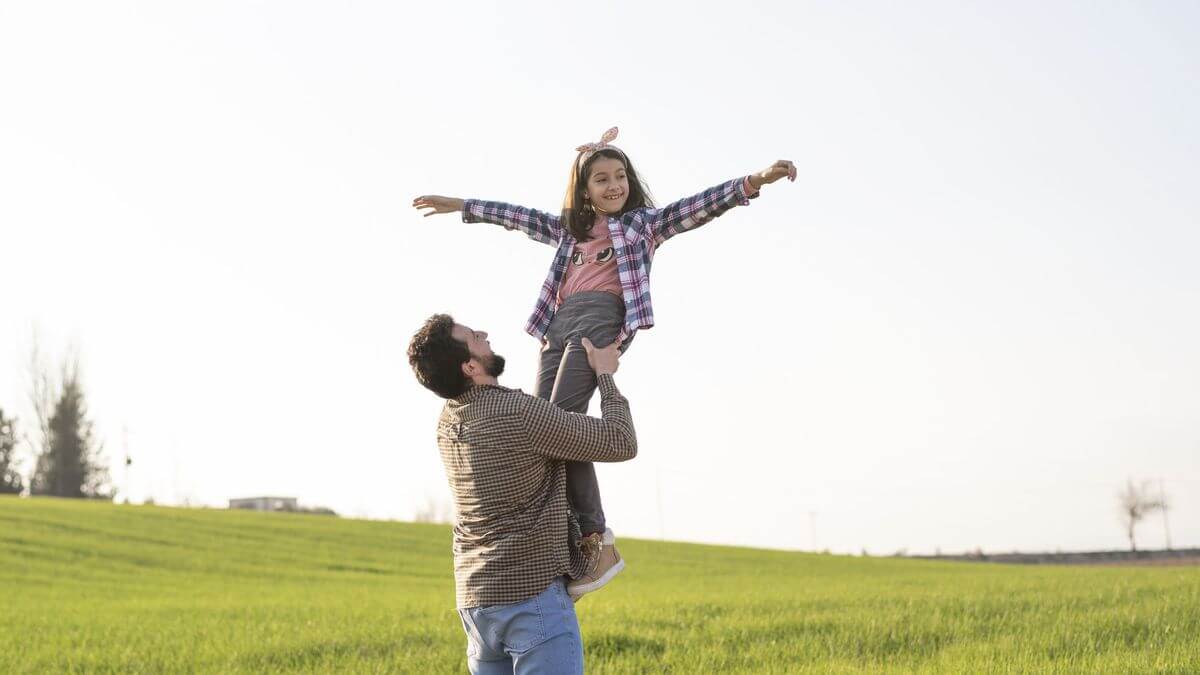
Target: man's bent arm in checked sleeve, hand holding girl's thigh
{"points": [[557, 434]]}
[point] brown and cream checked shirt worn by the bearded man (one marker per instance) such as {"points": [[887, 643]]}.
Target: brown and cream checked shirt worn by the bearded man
{"points": [[503, 453]]}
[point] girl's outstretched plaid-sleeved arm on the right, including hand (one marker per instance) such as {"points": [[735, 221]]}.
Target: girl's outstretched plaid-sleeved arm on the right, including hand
{"points": [[694, 212]]}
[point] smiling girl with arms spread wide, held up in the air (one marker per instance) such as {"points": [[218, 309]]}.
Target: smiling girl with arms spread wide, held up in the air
{"points": [[598, 288]]}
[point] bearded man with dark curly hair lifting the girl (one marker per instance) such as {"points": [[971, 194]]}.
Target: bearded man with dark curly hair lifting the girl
{"points": [[505, 457]]}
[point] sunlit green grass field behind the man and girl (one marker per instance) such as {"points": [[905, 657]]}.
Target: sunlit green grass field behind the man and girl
{"points": [[99, 588]]}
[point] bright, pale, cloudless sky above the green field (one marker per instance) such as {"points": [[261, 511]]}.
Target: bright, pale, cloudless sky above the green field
{"points": [[967, 325]]}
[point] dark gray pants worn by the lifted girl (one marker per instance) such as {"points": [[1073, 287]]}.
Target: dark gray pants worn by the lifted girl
{"points": [[566, 380]]}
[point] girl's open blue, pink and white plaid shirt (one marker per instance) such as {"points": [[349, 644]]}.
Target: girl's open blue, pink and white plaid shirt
{"points": [[635, 237]]}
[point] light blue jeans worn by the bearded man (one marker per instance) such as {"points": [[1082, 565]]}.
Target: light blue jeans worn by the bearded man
{"points": [[541, 635]]}
